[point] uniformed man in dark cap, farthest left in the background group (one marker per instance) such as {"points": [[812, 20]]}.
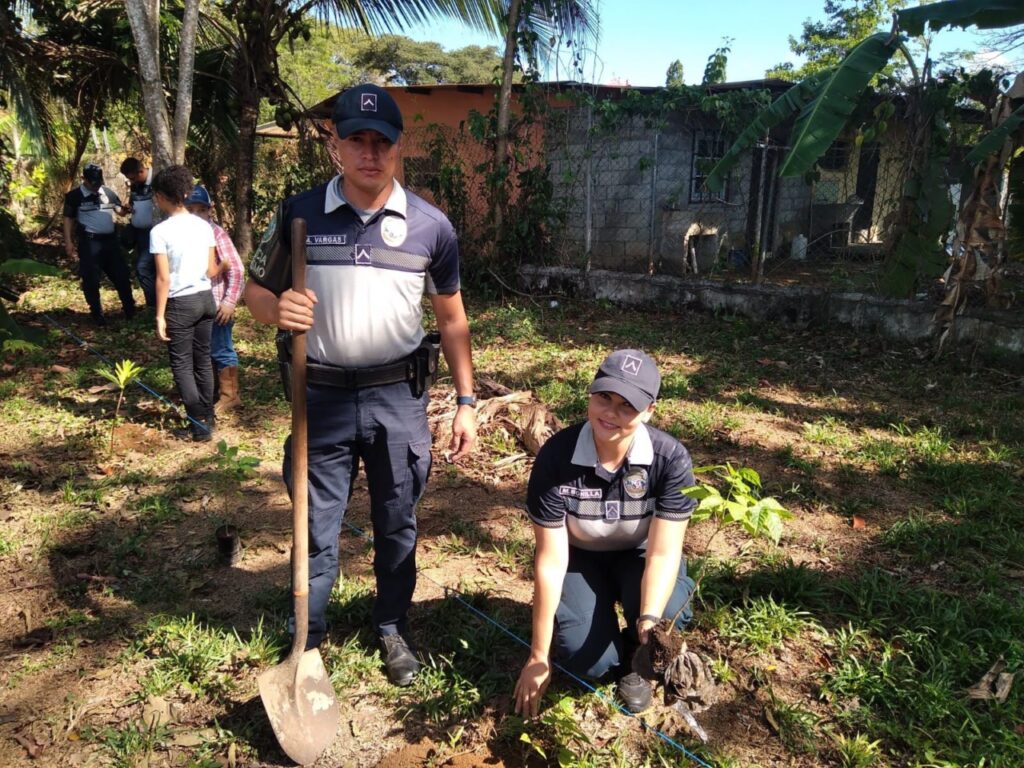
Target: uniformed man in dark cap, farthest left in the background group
{"points": [[89, 221]]}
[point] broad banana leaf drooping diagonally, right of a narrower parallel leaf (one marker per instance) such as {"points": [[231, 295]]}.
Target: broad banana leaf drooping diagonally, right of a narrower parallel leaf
{"points": [[824, 118]]}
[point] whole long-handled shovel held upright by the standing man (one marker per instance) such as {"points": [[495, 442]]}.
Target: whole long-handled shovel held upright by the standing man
{"points": [[297, 694]]}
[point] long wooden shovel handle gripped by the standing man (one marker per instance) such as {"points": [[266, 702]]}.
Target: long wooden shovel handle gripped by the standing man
{"points": [[301, 464]]}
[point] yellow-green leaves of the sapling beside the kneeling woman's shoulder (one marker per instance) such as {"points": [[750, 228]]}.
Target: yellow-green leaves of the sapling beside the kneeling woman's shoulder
{"points": [[742, 503]]}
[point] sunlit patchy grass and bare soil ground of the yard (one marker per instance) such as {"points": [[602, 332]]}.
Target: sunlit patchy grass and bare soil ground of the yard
{"points": [[899, 584]]}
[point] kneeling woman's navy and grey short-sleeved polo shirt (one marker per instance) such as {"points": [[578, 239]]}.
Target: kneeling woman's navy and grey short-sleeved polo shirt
{"points": [[606, 511]]}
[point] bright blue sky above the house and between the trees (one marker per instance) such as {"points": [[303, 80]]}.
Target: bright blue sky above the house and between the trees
{"points": [[641, 38]]}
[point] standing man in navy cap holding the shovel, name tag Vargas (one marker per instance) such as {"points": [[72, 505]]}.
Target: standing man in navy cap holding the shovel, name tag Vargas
{"points": [[373, 249]]}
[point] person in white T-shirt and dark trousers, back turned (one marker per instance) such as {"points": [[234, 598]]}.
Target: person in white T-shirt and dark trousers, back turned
{"points": [[185, 253]]}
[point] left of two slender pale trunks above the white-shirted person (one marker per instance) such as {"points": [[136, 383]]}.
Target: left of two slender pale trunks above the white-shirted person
{"points": [[144, 16]]}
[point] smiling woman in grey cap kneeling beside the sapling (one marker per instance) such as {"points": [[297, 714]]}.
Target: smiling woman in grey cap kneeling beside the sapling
{"points": [[610, 519]]}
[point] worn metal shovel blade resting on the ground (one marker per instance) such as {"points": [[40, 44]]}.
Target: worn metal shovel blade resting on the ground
{"points": [[301, 704]]}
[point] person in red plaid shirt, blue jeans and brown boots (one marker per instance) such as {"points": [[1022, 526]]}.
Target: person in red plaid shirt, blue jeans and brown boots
{"points": [[227, 289]]}
